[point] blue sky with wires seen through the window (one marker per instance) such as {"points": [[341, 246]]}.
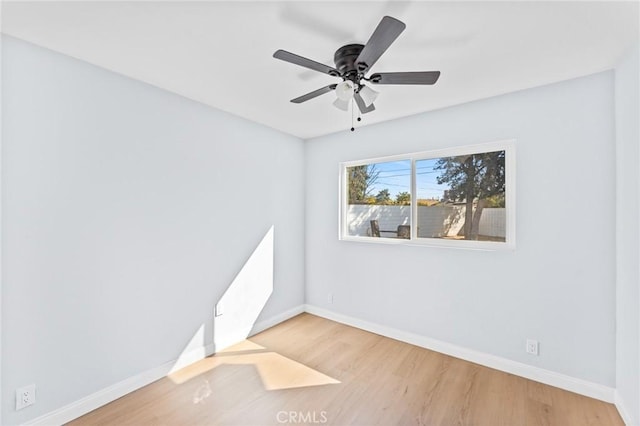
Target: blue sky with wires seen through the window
{"points": [[396, 177]]}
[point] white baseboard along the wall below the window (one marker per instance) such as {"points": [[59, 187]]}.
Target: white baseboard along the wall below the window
{"points": [[562, 381]]}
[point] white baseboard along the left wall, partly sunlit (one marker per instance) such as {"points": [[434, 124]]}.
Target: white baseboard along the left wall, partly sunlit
{"points": [[96, 400]]}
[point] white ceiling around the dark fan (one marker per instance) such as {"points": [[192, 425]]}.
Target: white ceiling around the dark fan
{"points": [[220, 53]]}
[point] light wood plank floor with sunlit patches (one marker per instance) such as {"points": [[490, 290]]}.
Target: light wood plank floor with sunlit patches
{"points": [[309, 370]]}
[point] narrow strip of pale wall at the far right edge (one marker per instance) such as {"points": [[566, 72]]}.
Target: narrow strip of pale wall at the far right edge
{"points": [[628, 236]]}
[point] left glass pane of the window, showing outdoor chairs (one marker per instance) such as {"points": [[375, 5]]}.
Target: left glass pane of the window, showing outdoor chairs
{"points": [[379, 200]]}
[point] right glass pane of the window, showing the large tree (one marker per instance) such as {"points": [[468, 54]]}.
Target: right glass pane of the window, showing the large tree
{"points": [[462, 197]]}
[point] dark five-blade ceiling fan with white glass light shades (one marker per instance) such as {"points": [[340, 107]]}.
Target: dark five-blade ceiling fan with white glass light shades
{"points": [[353, 62]]}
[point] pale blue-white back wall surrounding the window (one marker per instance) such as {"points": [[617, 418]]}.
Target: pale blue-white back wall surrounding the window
{"points": [[557, 286]]}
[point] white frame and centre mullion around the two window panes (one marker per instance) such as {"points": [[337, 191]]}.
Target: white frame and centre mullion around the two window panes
{"points": [[508, 146]]}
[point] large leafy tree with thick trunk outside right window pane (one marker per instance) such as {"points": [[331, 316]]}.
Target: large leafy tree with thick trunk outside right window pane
{"points": [[473, 177]]}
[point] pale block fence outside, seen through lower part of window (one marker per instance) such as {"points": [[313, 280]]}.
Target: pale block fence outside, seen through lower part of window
{"points": [[435, 221]]}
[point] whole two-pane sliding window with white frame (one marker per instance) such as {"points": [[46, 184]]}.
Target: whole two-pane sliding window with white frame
{"points": [[459, 197]]}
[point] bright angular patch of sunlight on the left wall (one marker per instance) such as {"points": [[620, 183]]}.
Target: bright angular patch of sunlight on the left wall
{"points": [[236, 312]]}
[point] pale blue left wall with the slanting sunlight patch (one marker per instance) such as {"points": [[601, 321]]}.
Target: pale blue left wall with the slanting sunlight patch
{"points": [[127, 212]]}
